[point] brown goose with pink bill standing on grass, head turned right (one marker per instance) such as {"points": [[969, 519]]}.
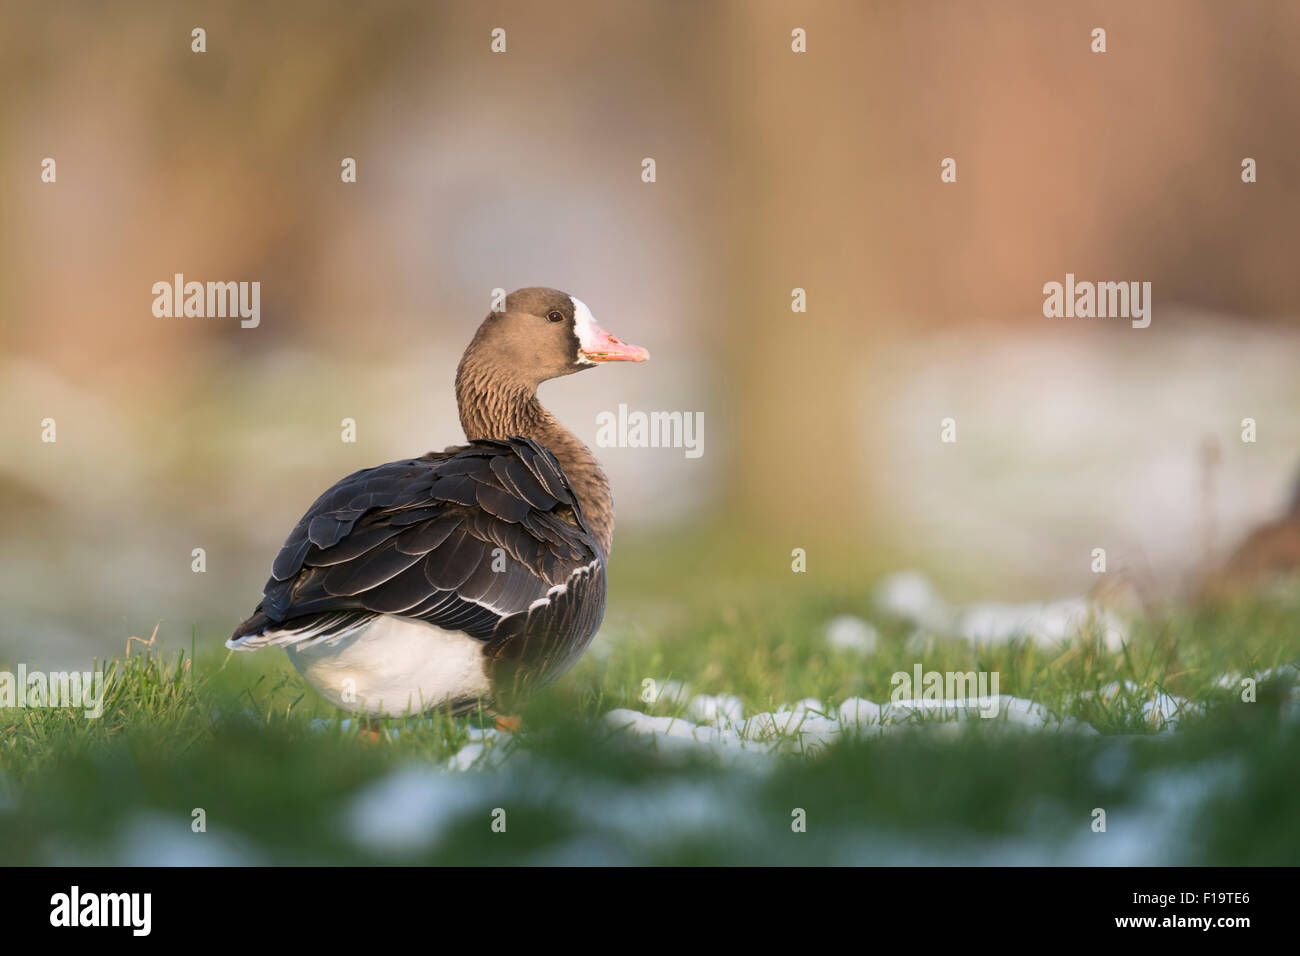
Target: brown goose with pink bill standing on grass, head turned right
{"points": [[467, 578]]}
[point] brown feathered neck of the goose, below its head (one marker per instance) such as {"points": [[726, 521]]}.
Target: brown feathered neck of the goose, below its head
{"points": [[496, 408]]}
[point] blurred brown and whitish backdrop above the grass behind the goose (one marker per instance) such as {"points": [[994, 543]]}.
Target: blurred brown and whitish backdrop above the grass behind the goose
{"points": [[775, 171]]}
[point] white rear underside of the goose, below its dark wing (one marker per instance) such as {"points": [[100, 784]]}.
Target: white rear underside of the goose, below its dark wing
{"points": [[395, 667]]}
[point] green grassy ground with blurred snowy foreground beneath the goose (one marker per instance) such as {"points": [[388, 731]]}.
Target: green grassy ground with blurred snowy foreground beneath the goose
{"points": [[275, 776]]}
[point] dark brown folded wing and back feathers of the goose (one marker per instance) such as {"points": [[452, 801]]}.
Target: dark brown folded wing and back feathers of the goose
{"points": [[487, 539]]}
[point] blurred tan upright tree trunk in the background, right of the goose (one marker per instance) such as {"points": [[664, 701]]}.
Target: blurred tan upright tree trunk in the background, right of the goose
{"points": [[801, 176]]}
